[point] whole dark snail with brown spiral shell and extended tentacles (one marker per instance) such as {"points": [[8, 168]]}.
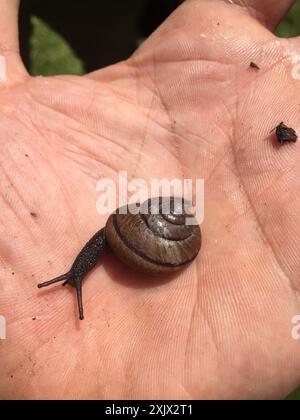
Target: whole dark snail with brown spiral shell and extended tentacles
{"points": [[155, 239]]}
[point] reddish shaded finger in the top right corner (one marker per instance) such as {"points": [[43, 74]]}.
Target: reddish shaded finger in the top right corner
{"points": [[270, 12]]}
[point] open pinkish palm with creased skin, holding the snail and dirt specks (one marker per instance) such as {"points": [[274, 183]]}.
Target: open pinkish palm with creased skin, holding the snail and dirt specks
{"points": [[185, 105]]}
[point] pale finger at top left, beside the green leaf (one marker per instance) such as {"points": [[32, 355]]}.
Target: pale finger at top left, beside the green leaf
{"points": [[11, 66]]}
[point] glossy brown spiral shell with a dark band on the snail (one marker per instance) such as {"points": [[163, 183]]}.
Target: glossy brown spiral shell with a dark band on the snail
{"points": [[156, 242]]}
